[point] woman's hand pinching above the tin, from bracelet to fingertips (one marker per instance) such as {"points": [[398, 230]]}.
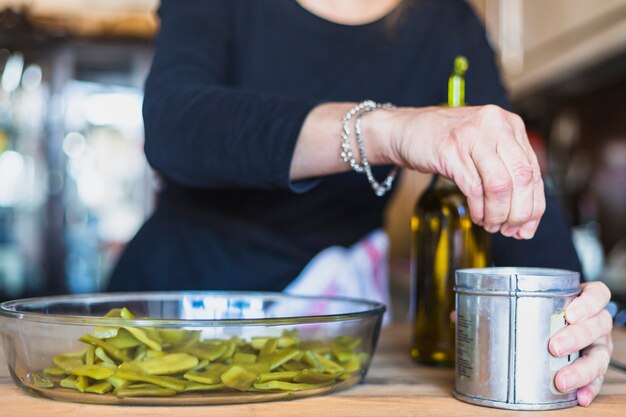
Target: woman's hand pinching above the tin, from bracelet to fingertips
{"points": [[486, 152]]}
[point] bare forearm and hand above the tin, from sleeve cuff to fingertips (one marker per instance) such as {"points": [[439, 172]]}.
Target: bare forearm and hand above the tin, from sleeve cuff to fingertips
{"points": [[483, 149]]}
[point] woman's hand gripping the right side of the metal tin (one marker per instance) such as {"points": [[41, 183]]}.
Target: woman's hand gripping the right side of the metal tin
{"points": [[589, 331]]}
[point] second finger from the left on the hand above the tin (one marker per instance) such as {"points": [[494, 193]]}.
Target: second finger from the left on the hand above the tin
{"points": [[496, 184]]}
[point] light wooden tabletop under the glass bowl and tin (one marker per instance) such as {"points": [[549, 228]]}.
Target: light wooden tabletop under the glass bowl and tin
{"points": [[394, 387]]}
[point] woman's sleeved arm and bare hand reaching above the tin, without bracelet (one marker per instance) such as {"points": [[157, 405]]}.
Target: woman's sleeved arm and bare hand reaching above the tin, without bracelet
{"points": [[202, 133]]}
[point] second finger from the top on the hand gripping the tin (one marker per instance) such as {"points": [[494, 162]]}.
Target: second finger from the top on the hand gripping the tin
{"points": [[577, 336]]}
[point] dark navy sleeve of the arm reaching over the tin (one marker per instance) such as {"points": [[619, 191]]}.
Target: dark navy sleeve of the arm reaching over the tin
{"points": [[201, 131]]}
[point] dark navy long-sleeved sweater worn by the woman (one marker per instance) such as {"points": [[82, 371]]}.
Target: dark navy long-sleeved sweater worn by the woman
{"points": [[230, 86]]}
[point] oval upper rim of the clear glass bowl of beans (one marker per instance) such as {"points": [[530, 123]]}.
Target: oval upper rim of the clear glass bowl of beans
{"points": [[9, 309]]}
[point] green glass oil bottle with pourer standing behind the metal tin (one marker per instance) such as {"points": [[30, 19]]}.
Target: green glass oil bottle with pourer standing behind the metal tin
{"points": [[444, 240]]}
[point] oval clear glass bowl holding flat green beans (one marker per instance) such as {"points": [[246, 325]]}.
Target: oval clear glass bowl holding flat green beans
{"points": [[188, 348]]}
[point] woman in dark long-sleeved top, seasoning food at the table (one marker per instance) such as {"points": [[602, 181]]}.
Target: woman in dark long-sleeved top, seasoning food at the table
{"points": [[243, 110]]}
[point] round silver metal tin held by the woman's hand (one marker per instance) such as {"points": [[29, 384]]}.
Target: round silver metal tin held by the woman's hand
{"points": [[505, 318]]}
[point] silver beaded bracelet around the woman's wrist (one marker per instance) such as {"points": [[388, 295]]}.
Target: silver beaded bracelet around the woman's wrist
{"points": [[360, 110]]}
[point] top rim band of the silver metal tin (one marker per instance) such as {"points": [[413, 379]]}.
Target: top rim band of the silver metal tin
{"points": [[518, 281]]}
